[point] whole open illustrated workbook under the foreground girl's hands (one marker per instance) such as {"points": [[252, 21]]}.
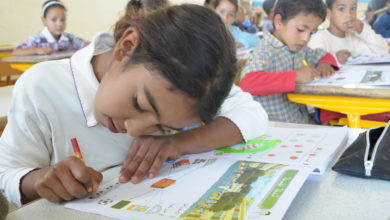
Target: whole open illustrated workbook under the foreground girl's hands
{"points": [[255, 180]]}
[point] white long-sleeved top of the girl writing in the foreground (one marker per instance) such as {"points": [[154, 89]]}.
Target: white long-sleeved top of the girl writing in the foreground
{"points": [[53, 102]]}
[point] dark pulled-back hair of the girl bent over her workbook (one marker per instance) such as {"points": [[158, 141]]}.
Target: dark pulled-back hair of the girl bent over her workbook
{"points": [[191, 47]]}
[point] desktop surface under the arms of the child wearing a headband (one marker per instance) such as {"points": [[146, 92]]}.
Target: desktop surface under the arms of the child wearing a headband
{"points": [[37, 58]]}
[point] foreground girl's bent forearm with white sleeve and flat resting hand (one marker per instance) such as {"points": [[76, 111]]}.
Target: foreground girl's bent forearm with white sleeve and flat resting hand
{"points": [[241, 118]]}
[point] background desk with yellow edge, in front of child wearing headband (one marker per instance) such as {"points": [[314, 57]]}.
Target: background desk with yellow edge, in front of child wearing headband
{"points": [[23, 63]]}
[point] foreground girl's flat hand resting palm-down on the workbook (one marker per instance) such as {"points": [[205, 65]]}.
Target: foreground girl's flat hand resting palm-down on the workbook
{"points": [[148, 153]]}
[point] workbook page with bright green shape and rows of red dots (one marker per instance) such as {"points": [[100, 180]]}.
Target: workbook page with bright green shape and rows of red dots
{"points": [[312, 148]]}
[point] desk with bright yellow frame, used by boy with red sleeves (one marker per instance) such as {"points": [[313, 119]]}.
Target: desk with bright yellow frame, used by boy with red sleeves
{"points": [[354, 102]]}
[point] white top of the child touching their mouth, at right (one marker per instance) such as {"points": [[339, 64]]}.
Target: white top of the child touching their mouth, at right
{"points": [[366, 43]]}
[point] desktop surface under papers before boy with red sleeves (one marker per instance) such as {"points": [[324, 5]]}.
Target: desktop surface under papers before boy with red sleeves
{"points": [[382, 92]]}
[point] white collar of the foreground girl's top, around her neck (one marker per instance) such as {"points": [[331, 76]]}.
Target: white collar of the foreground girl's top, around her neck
{"points": [[86, 83]]}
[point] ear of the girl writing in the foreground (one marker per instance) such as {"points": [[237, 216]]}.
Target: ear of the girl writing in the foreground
{"points": [[127, 43]]}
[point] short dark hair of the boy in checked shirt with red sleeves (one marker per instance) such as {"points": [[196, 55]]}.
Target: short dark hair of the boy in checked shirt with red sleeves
{"points": [[290, 8]]}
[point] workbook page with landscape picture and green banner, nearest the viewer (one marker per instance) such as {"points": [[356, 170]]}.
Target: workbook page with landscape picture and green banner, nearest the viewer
{"points": [[214, 188]]}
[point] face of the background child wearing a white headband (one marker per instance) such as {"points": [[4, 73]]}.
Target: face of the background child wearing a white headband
{"points": [[55, 21]]}
